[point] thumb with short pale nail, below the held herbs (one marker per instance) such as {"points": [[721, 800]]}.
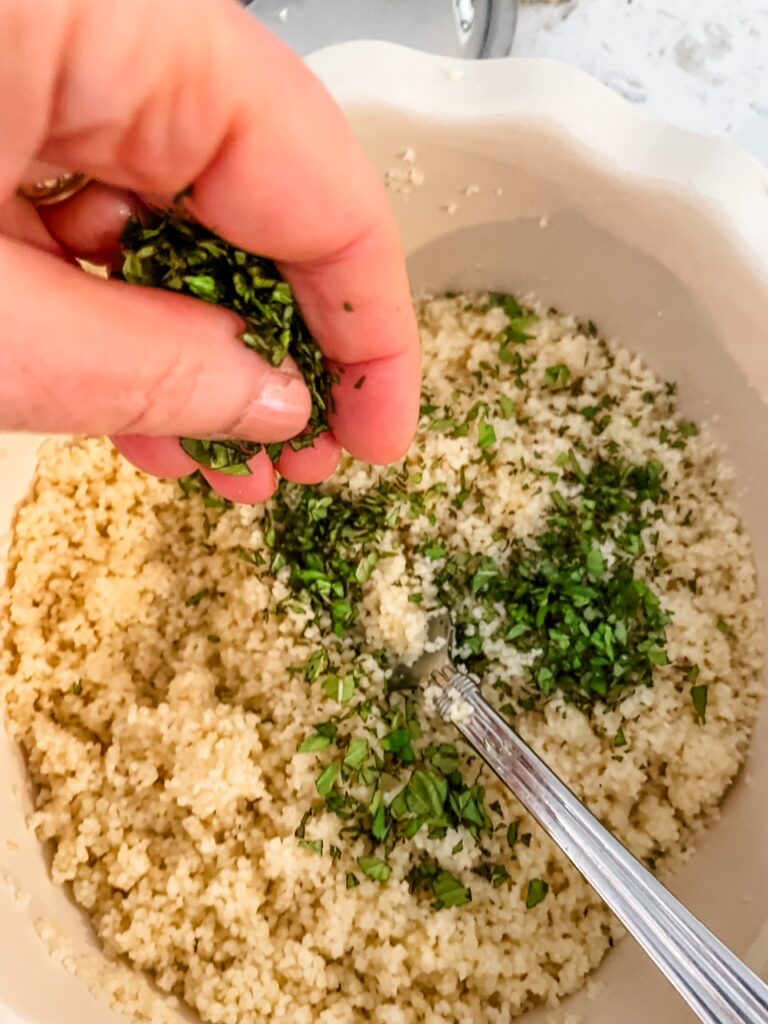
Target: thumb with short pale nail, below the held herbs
{"points": [[84, 356]]}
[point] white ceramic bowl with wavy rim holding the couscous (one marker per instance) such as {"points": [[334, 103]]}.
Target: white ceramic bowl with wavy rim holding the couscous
{"points": [[659, 236]]}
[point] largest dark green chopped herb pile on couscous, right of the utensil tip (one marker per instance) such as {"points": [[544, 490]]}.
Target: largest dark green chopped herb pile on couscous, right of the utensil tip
{"points": [[594, 633]]}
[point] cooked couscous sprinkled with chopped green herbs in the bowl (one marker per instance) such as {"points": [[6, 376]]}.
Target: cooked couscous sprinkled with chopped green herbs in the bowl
{"points": [[253, 809]]}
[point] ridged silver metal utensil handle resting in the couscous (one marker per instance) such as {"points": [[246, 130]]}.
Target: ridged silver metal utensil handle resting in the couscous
{"points": [[715, 984]]}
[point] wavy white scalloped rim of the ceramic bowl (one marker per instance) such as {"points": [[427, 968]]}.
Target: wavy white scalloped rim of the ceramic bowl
{"points": [[726, 183]]}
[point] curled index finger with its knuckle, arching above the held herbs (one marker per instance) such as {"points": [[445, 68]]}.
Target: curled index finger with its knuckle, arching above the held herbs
{"points": [[216, 102]]}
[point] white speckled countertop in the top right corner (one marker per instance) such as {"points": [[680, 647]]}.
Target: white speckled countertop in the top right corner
{"points": [[700, 64]]}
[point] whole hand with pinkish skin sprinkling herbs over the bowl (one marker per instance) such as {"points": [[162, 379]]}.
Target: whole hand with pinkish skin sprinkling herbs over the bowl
{"points": [[151, 99]]}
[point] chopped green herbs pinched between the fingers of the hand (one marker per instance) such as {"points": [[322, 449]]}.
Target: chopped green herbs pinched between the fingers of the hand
{"points": [[181, 257]]}
